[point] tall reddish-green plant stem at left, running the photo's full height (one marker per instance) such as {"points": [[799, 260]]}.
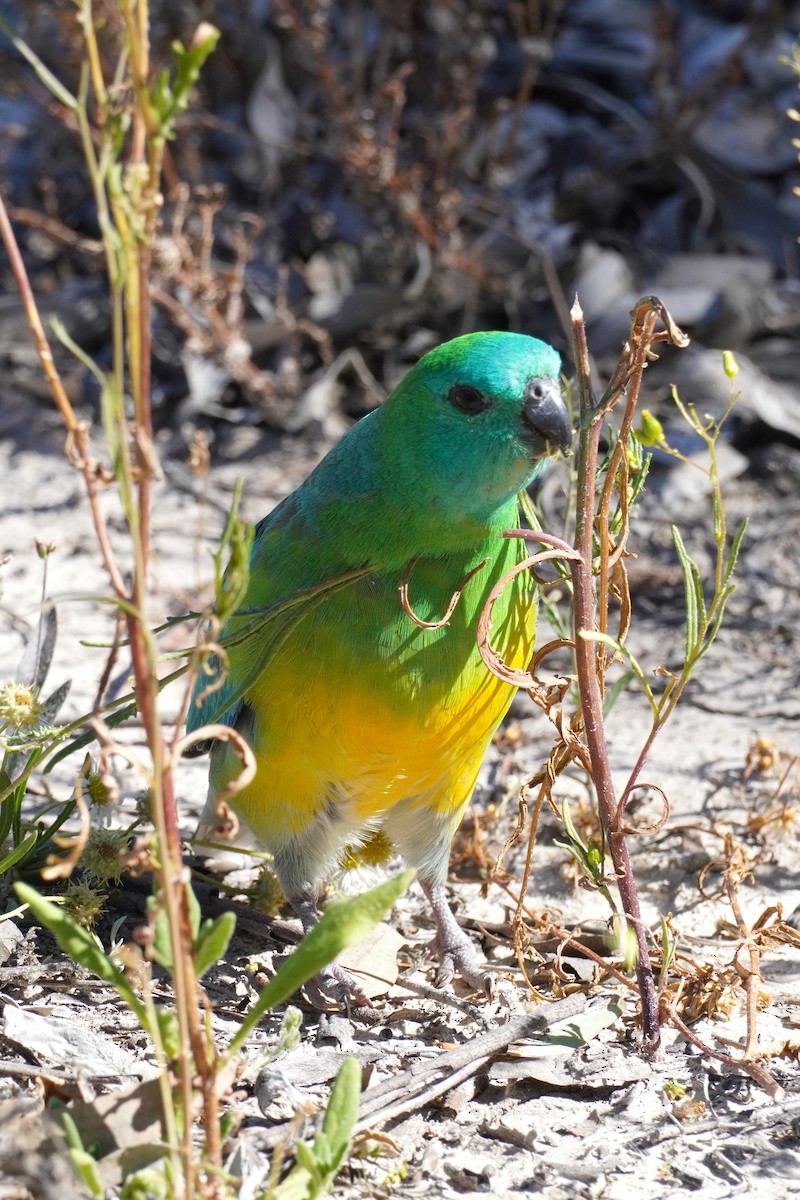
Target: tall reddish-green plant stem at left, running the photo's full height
{"points": [[128, 195]]}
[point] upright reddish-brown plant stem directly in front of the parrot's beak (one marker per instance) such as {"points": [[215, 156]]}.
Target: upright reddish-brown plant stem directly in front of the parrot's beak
{"points": [[586, 619]]}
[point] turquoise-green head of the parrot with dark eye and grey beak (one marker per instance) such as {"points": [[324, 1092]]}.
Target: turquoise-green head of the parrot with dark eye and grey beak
{"points": [[473, 423]]}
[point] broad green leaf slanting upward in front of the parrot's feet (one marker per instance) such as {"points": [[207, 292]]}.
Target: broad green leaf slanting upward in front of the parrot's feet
{"points": [[342, 925]]}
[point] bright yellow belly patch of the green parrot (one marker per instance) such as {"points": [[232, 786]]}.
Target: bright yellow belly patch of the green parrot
{"points": [[332, 737]]}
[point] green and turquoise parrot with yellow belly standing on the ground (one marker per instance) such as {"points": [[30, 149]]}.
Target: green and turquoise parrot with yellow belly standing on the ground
{"points": [[365, 711]]}
